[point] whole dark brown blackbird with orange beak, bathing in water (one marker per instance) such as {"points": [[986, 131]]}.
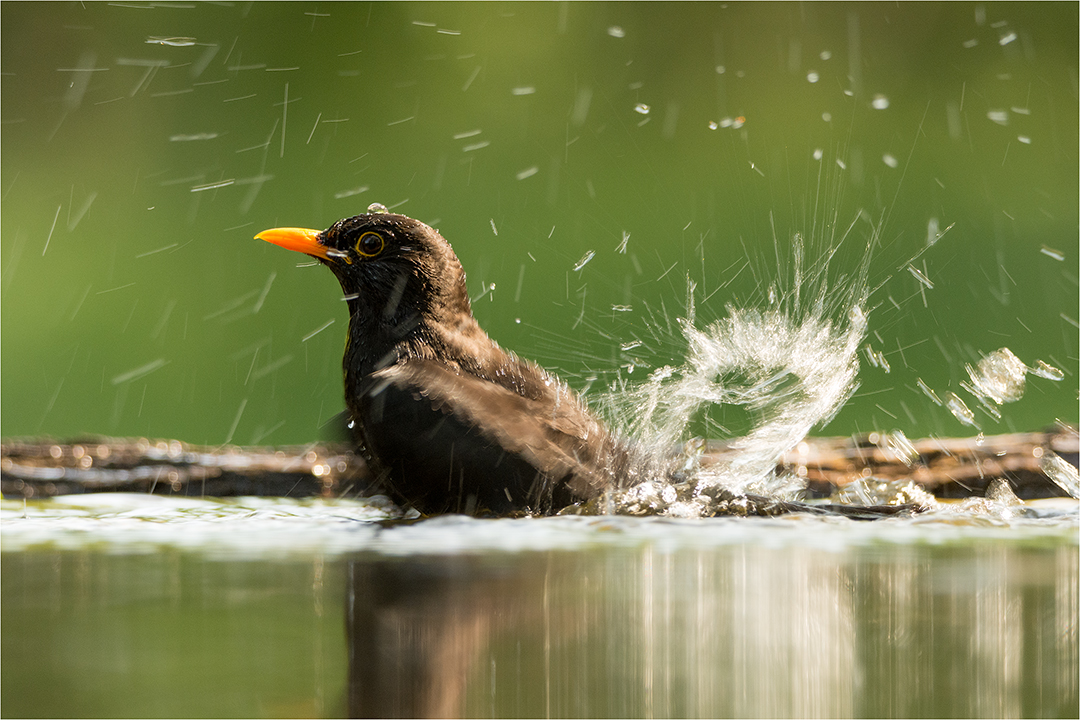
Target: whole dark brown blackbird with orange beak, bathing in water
{"points": [[448, 420]]}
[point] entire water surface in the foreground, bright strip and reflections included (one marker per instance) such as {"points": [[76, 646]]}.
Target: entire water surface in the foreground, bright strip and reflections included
{"points": [[126, 606]]}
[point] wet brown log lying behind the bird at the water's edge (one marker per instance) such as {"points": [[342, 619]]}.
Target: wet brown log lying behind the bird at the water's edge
{"points": [[949, 468]]}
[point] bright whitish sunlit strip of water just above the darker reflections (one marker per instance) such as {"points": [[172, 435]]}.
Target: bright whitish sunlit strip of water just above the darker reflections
{"points": [[252, 528]]}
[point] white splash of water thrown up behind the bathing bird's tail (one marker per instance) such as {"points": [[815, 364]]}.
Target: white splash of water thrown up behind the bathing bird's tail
{"points": [[792, 365]]}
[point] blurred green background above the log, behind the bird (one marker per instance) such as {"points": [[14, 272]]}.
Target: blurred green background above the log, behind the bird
{"points": [[134, 301]]}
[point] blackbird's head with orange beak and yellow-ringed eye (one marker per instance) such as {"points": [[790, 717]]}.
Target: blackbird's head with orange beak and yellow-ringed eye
{"points": [[395, 271]]}
